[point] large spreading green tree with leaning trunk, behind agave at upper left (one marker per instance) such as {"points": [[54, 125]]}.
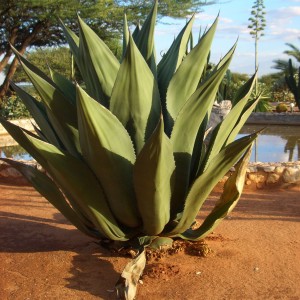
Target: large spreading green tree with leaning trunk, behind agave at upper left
{"points": [[30, 23]]}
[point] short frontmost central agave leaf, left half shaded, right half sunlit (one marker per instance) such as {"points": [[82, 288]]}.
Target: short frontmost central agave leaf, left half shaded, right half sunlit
{"points": [[153, 182]]}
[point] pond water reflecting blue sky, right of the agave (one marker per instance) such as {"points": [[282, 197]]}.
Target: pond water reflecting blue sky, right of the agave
{"points": [[277, 143]]}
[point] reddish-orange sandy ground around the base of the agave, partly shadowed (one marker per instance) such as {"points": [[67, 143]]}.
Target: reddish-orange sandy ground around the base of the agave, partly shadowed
{"points": [[255, 254]]}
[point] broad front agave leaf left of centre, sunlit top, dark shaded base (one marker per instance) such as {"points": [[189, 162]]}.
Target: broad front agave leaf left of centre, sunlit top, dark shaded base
{"points": [[108, 150]]}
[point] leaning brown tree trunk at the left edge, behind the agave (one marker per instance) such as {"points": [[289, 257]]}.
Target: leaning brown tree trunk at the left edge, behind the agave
{"points": [[12, 69]]}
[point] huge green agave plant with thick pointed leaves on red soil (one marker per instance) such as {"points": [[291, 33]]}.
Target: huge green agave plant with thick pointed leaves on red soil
{"points": [[127, 157]]}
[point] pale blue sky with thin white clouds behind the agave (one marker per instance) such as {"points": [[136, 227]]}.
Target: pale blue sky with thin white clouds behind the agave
{"points": [[282, 26]]}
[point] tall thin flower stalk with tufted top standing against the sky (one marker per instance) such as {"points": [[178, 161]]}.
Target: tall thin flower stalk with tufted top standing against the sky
{"points": [[257, 26]]}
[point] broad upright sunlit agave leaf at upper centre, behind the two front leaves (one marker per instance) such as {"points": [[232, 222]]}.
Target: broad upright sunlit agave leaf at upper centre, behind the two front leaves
{"points": [[139, 108]]}
